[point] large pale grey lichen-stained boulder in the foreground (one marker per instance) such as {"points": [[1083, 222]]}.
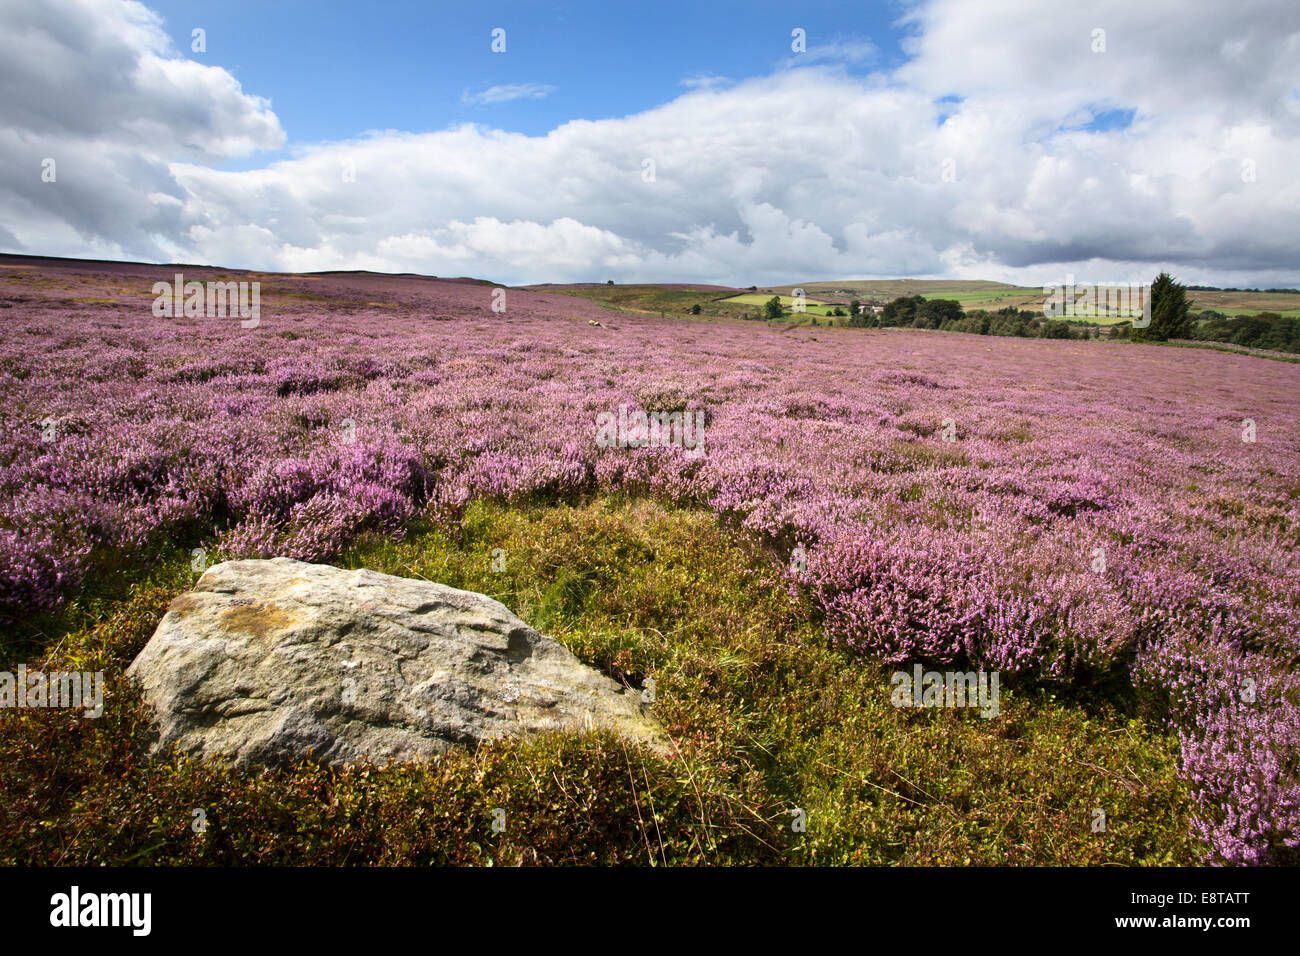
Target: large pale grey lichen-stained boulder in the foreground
{"points": [[271, 661]]}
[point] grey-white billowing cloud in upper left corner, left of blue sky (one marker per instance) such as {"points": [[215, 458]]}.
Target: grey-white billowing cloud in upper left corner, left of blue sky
{"points": [[97, 106]]}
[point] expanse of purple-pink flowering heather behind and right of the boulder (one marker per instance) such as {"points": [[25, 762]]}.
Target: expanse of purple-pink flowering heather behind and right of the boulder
{"points": [[1093, 512]]}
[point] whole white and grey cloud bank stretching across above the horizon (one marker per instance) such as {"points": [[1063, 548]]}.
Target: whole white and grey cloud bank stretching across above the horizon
{"points": [[973, 159]]}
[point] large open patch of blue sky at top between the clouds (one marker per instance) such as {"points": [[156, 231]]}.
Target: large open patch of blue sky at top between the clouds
{"points": [[336, 70]]}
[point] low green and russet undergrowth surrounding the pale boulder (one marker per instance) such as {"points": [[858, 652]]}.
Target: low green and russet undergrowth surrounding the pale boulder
{"points": [[765, 716]]}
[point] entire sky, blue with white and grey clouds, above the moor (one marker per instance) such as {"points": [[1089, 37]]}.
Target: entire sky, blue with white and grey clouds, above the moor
{"points": [[738, 144]]}
